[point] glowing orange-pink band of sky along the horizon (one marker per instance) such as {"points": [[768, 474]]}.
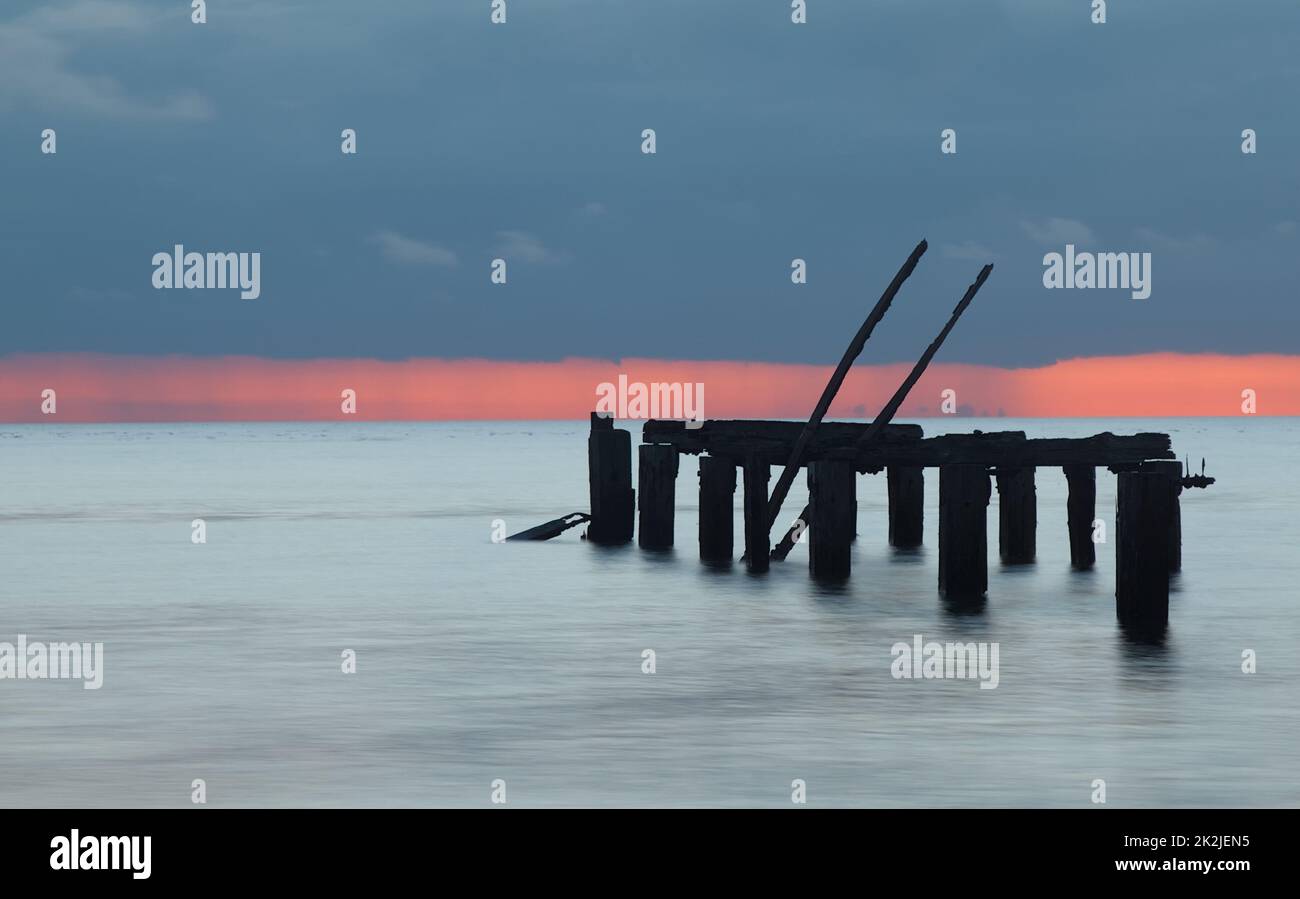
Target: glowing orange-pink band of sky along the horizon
{"points": [[124, 389]]}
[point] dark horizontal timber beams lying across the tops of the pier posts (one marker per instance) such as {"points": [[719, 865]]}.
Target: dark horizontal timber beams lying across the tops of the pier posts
{"points": [[904, 445]]}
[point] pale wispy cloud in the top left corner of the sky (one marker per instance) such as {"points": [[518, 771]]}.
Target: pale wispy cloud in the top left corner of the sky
{"points": [[37, 67]]}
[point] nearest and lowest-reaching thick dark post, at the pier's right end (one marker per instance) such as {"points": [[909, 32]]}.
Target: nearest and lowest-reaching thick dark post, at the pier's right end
{"points": [[1145, 506]]}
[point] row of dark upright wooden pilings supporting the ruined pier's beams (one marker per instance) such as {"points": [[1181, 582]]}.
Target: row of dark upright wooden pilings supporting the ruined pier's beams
{"points": [[1147, 537]]}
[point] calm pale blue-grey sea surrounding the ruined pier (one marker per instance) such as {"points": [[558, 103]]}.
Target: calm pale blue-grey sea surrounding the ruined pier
{"points": [[478, 662]]}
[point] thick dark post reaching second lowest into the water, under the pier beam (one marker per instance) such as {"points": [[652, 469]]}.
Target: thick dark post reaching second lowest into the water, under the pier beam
{"points": [[964, 494]]}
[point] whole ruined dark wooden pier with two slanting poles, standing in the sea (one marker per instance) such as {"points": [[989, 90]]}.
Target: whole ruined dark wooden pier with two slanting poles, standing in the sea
{"points": [[1149, 523]]}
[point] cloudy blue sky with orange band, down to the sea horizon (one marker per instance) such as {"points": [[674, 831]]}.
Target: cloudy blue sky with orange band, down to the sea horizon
{"points": [[523, 142]]}
